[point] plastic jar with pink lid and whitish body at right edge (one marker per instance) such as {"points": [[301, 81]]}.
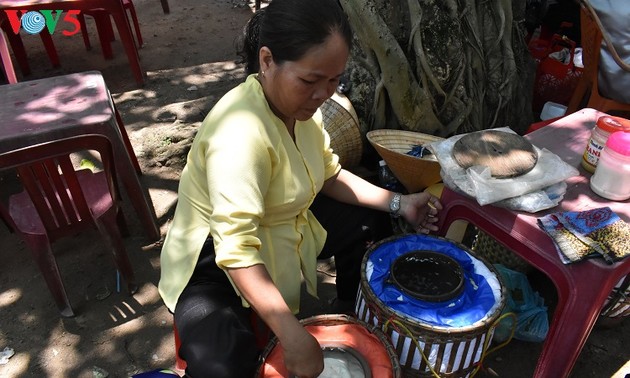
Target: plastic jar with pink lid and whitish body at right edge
{"points": [[612, 176]]}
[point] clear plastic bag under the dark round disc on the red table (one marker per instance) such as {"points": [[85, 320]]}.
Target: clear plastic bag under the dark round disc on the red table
{"points": [[477, 181]]}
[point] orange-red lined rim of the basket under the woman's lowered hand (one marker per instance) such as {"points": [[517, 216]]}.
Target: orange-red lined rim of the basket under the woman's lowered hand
{"points": [[339, 330]]}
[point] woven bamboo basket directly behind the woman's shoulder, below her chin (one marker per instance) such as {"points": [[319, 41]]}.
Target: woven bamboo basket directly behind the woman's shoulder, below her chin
{"points": [[342, 124]]}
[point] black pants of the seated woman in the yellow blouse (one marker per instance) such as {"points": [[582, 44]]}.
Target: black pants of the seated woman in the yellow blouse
{"points": [[217, 338]]}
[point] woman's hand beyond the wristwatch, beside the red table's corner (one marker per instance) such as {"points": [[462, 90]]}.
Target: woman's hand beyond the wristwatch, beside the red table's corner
{"points": [[420, 211]]}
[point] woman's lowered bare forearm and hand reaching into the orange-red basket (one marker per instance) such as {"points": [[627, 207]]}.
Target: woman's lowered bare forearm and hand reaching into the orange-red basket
{"points": [[302, 354]]}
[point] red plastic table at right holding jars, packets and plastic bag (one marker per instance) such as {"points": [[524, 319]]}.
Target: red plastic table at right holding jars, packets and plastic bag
{"points": [[582, 287]]}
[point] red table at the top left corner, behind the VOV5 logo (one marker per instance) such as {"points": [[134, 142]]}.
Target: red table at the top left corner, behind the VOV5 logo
{"points": [[114, 7]]}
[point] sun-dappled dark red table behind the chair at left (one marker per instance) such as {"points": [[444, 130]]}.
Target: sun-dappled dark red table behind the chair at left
{"points": [[38, 111]]}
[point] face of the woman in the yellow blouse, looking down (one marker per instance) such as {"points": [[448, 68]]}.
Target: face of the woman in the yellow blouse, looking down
{"points": [[295, 89]]}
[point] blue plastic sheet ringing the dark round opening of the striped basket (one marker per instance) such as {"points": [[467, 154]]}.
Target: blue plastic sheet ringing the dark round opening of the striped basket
{"points": [[472, 305]]}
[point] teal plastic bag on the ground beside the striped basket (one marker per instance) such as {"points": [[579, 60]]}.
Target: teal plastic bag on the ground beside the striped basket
{"points": [[532, 322]]}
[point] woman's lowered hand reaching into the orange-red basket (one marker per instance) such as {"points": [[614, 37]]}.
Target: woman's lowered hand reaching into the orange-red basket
{"points": [[303, 355]]}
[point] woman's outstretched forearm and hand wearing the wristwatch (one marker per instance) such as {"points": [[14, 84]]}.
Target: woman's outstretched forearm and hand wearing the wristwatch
{"points": [[419, 209]]}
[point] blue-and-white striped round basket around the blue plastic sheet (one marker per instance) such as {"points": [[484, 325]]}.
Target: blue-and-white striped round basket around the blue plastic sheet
{"points": [[450, 352]]}
